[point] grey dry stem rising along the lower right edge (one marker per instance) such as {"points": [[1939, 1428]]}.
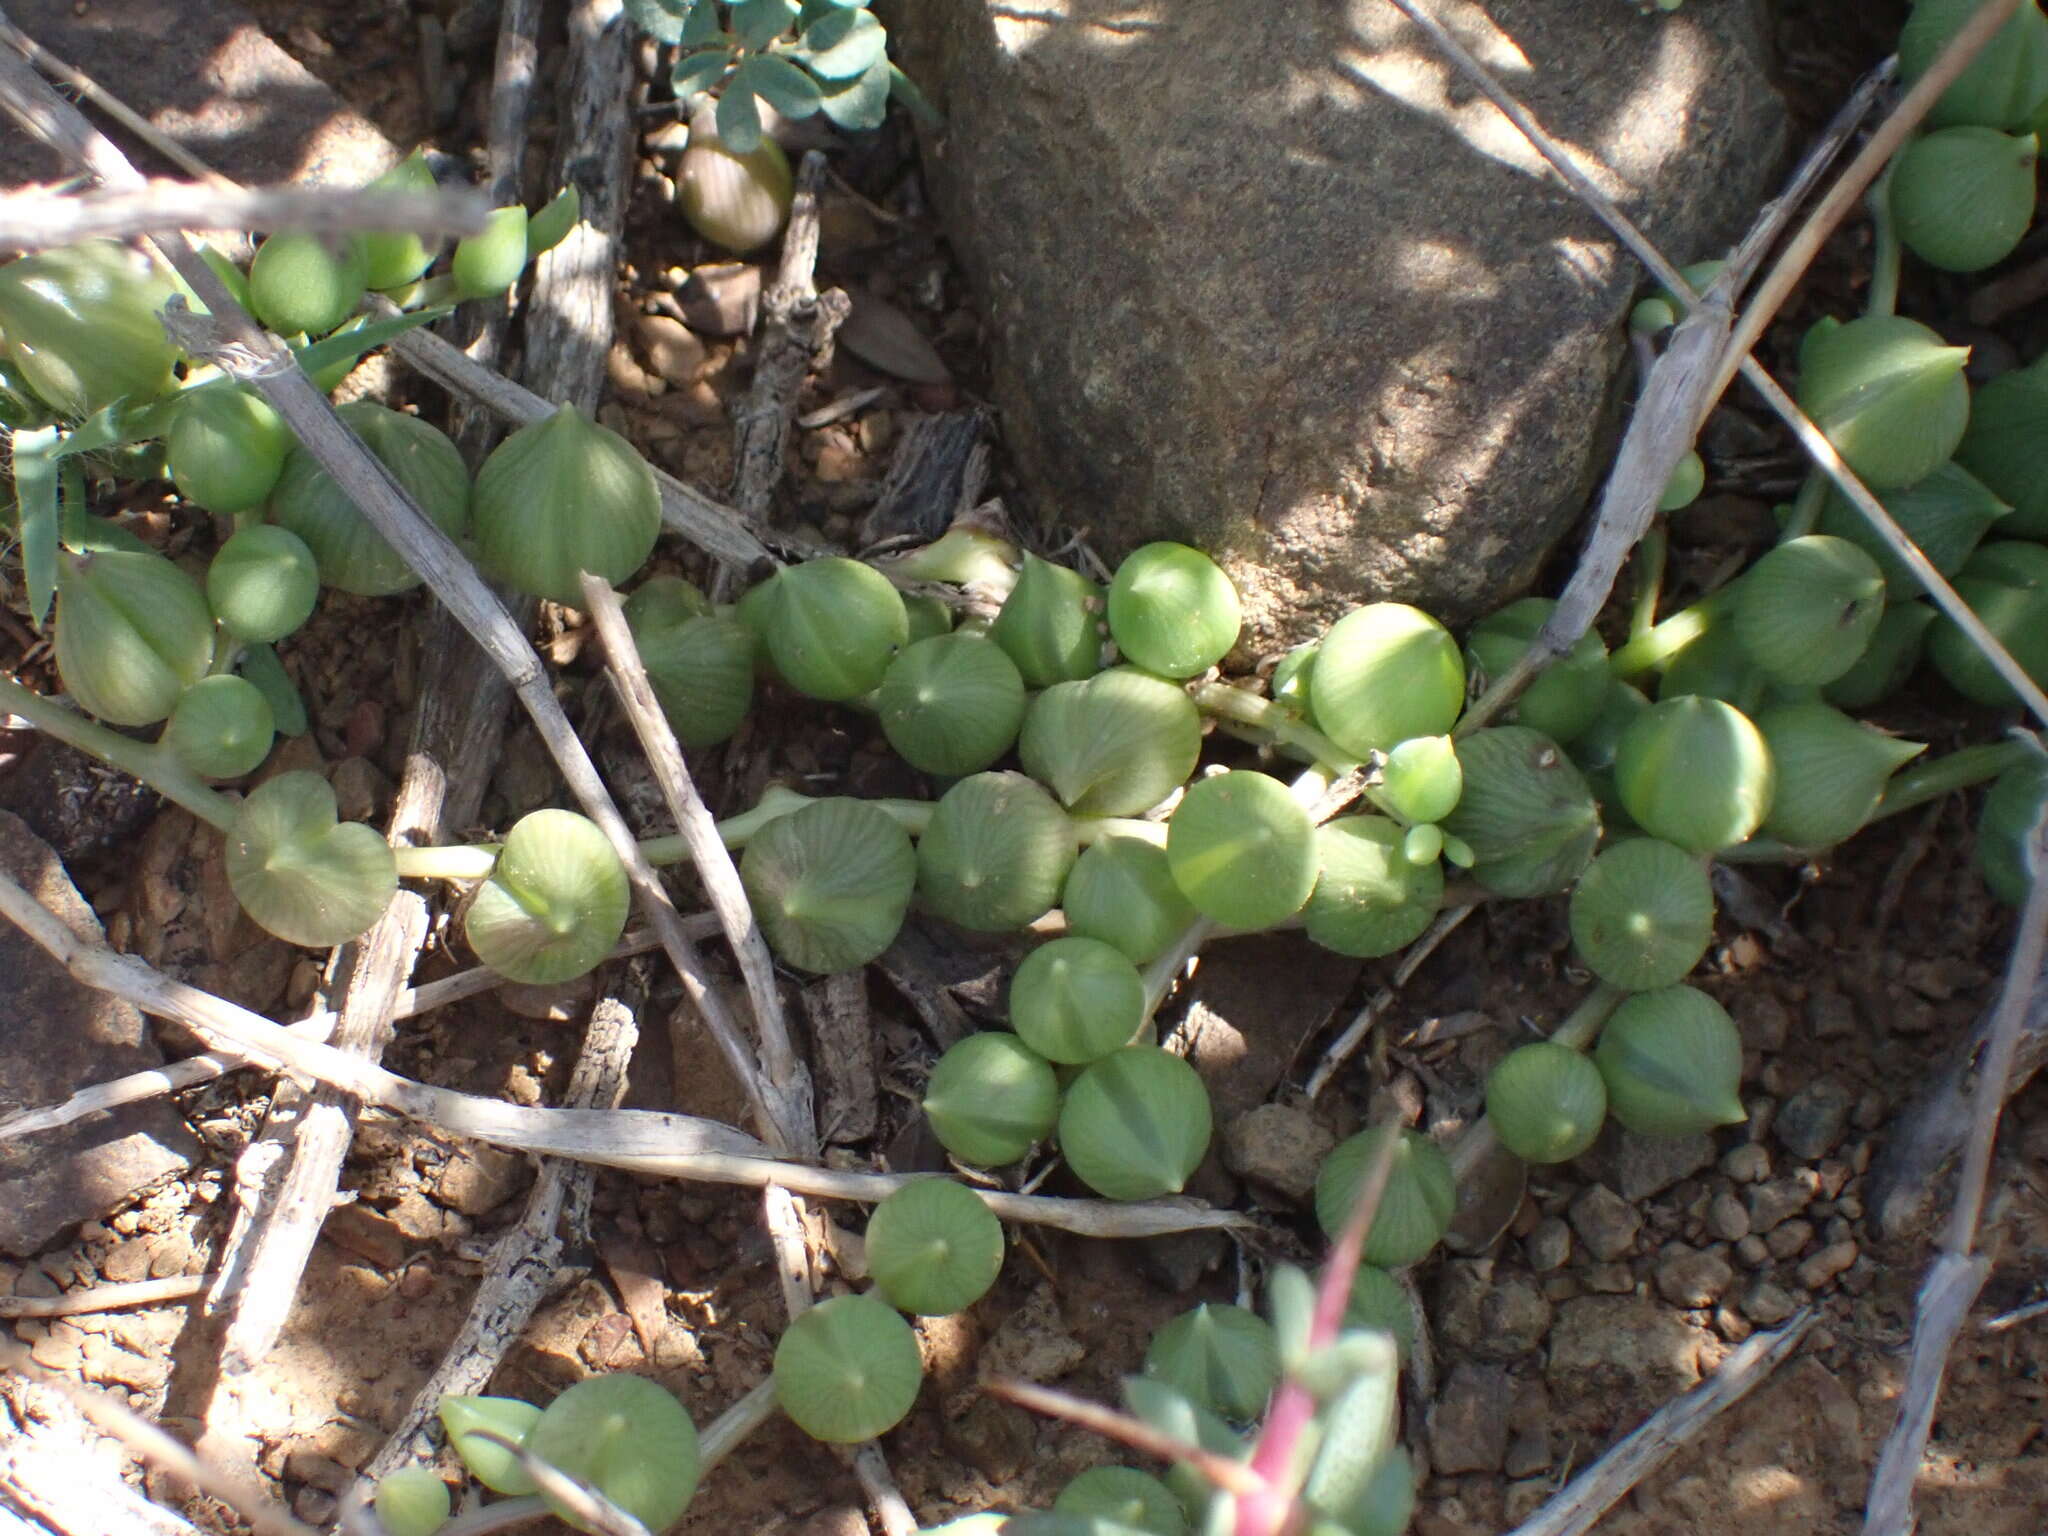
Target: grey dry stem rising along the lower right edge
{"points": [[1959, 1273]]}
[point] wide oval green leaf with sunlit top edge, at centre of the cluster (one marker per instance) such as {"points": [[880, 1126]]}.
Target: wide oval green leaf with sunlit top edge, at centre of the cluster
{"points": [[1115, 744]]}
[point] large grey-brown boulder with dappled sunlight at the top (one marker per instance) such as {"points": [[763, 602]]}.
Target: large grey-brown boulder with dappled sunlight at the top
{"points": [[1273, 282]]}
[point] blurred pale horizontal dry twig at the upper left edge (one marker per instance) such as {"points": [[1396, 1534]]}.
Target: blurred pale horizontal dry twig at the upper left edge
{"points": [[40, 220]]}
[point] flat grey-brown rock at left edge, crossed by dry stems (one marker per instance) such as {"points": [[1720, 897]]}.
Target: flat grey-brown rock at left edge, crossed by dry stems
{"points": [[60, 1037]]}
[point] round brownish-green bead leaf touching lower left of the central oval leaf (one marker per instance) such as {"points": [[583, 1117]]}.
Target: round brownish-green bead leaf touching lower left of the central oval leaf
{"points": [[996, 853]]}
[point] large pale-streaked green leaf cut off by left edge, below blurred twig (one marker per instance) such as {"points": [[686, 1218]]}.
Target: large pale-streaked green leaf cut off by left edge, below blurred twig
{"points": [[83, 327]]}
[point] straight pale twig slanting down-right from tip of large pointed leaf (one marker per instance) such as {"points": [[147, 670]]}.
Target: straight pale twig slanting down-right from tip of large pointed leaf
{"points": [[781, 1066]]}
